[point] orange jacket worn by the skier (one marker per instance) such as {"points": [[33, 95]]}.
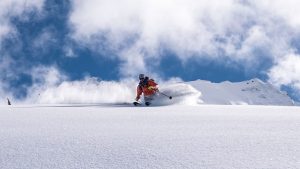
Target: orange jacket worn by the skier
{"points": [[148, 88]]}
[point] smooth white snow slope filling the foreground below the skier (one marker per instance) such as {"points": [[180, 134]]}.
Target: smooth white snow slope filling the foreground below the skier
{"points": [[99, 137]]}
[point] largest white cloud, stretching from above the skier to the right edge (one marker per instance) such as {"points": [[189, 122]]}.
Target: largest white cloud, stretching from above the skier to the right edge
{"points": [[138, 30]]}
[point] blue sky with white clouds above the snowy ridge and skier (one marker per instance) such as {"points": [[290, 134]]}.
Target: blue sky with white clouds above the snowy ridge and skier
{"points": [[112, 40]]}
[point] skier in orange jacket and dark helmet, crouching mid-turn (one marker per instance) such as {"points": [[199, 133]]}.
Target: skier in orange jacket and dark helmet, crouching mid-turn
{"points": [[147, 87]]}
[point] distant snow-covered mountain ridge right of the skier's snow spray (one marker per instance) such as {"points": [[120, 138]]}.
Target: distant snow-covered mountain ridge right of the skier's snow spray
{"points": [[251, 92]]}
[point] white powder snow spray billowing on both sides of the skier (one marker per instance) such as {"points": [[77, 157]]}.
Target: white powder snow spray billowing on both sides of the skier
{"points": [[52, 89]]}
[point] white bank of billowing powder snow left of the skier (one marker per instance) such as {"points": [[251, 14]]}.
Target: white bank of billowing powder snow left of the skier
{"points": [[89, 90]]}
